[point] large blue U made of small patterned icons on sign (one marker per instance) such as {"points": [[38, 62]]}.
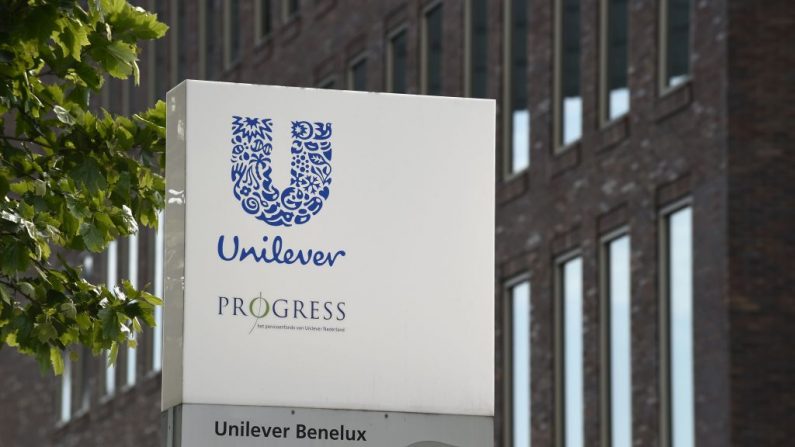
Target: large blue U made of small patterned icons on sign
{"points": [[310, 170]]}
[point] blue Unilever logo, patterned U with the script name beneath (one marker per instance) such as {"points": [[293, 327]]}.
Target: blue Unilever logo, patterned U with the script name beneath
{"points": [[308, 190]]}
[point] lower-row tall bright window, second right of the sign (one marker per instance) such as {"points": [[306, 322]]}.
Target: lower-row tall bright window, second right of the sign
{"points": [[569, 352]]}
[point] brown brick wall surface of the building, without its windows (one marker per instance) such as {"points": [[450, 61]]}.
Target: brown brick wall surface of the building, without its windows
{"points": [[721, 139]]}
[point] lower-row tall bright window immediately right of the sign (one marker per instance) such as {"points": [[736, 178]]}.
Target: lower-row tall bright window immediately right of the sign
{"points": [[519, 294]]}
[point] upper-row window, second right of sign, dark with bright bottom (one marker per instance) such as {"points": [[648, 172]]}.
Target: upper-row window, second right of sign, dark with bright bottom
{"points": [[568, 115]]}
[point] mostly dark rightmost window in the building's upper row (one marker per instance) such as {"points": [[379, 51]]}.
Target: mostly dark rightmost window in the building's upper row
{"points": [[678, 57]]}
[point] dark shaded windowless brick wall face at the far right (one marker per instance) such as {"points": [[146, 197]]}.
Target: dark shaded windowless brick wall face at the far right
{"points": [[761, 159]]}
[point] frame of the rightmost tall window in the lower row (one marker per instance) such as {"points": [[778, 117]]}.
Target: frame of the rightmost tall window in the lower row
{"points": [[664, 303]]}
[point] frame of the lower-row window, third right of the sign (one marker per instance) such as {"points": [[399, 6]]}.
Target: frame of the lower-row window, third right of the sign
{"points": [[605, 330]]}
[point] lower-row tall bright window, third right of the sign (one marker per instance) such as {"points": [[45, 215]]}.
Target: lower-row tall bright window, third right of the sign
{"points": [[616, 344]]}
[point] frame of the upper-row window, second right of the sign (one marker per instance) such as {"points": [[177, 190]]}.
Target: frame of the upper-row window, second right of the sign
{"points": [[558, 119]]}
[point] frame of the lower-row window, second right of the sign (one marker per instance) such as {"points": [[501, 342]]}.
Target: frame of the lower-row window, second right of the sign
{"points": [[559, 342]]}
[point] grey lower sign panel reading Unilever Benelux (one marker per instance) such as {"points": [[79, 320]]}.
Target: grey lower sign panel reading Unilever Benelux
{"points": [[228, 425]]}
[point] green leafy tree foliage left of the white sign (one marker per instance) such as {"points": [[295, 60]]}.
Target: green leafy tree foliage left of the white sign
{"points": [[71, 178]]}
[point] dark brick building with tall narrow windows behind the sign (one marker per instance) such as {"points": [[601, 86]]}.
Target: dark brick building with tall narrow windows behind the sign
{"points": [[644, 219]]}
